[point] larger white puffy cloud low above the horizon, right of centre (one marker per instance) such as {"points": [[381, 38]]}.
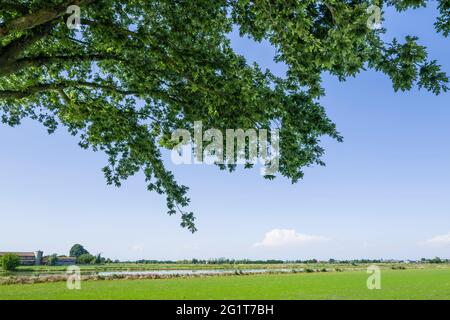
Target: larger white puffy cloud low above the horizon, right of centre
{"points": [[288, 238]]}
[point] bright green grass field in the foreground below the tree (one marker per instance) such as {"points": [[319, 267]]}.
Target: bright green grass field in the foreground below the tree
{"points": [[396, 284]]}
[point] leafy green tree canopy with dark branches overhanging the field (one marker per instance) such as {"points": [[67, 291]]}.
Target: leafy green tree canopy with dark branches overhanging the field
{"points": [[136, 70]]}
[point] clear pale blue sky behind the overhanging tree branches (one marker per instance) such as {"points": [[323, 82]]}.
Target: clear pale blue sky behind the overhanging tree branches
{"points": [[384, 193]]}
